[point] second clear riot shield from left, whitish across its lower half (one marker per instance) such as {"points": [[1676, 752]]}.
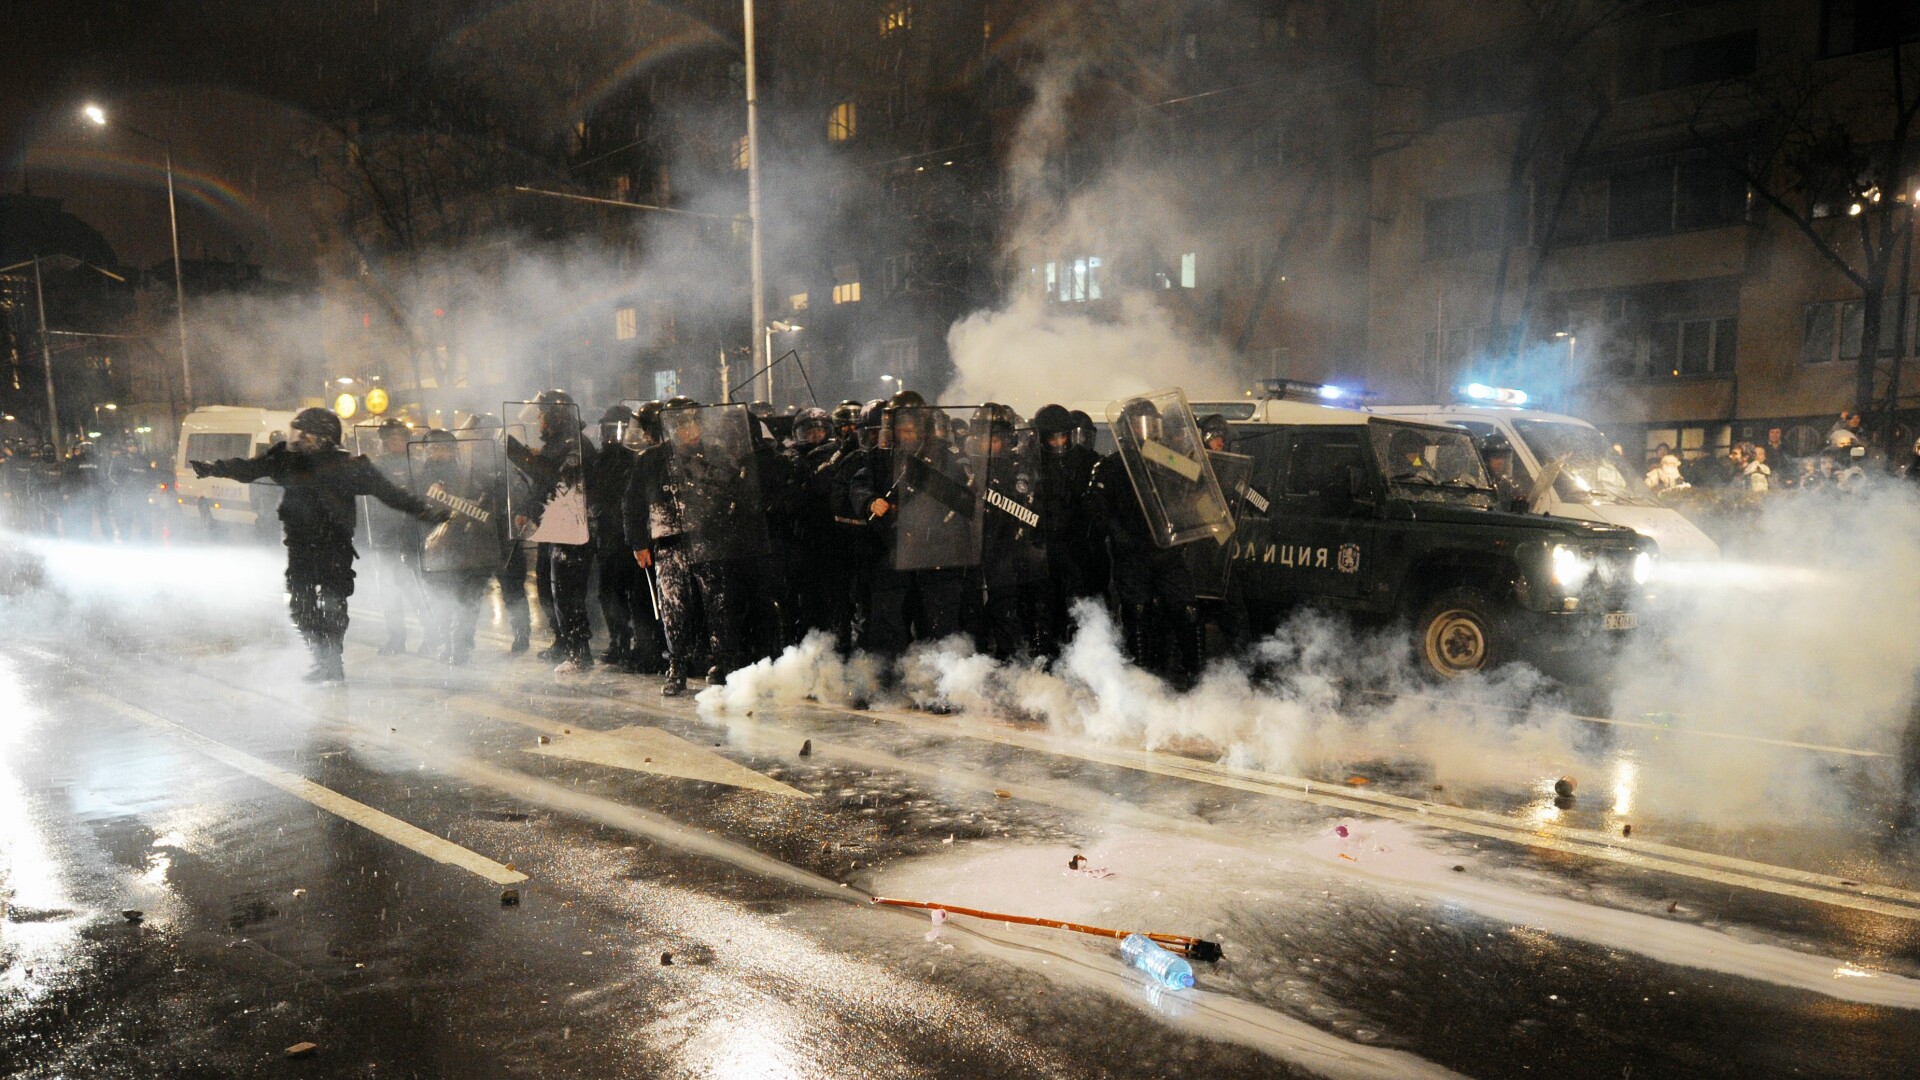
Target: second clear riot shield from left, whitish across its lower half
{"points": [[544, 449]]}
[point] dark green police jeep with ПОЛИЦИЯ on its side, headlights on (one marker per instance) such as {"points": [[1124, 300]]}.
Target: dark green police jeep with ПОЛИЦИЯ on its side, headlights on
{"points": [[1401, 522]]}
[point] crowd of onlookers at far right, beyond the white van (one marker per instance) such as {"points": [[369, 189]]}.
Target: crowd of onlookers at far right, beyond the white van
{"points": [[1842, 462]]}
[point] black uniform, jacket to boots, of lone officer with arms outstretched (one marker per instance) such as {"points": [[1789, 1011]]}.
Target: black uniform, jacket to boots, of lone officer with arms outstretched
{"points": [[318, 524]]}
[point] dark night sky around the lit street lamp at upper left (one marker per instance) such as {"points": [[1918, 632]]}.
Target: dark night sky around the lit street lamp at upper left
{"points": [[243, 87]]}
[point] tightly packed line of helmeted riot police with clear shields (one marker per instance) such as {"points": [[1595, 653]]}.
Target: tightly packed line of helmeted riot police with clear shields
{"points": [[717, 545]]}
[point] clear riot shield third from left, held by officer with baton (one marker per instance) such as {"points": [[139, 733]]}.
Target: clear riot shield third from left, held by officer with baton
{"points": [[713, 483]]}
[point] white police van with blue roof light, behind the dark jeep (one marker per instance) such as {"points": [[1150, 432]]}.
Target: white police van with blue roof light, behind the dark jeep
{"points": [[1589, 478]]}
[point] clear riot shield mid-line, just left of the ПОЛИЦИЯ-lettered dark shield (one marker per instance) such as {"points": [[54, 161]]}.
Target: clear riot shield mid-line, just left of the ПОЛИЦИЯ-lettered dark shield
{"points": [[938, 493]]}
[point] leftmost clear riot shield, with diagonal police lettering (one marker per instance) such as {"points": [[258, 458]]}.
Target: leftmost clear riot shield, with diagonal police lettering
{"points": [[469, 479]]}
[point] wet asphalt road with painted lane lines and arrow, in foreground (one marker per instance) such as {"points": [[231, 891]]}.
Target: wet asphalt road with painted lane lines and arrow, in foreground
{"points": [[329, 868]]}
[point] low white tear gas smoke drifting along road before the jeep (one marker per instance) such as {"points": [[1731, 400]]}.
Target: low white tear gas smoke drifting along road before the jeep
{"points": [[1827, 658]]}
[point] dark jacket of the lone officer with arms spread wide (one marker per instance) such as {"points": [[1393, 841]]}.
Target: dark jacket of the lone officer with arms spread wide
{"points": [[318, 508]]}
